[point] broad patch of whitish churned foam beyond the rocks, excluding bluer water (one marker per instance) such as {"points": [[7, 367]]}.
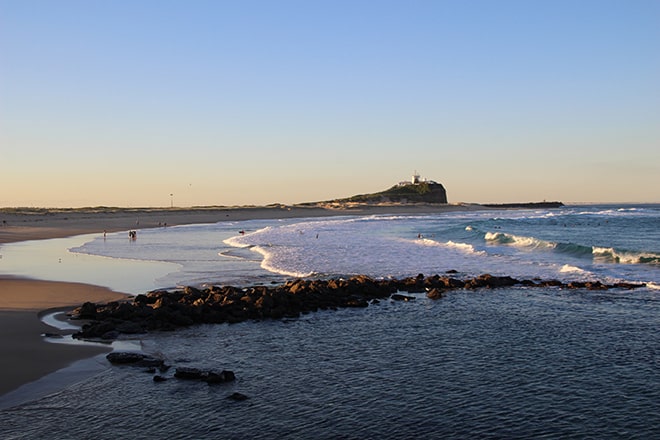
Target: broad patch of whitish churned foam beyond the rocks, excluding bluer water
{"points": [[390, 246]]}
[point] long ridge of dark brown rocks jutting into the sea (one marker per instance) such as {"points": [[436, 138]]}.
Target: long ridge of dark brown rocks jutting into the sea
{"points": [[163, 310]]}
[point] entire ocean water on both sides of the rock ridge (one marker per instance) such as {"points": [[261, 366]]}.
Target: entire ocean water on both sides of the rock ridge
{"points": [[507, 363]]}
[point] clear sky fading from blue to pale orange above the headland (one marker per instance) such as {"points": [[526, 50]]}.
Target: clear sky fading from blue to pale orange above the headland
{"points": [[187, 103]]}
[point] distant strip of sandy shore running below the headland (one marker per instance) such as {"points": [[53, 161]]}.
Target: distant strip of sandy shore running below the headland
{"points": [[20, 224]]}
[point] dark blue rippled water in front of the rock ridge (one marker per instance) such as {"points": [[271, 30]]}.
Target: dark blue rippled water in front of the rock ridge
{"points": [[487, 364]]}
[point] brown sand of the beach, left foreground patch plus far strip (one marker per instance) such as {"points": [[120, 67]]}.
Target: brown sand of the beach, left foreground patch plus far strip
{"points": [[26, 356]]}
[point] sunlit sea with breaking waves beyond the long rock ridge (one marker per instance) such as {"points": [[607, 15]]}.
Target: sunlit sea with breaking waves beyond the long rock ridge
{"points": [[608, 243]]}
